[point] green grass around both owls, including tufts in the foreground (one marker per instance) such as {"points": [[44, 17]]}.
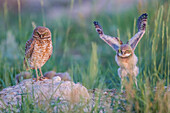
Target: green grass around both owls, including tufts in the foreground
{"points": [[78, 50]]}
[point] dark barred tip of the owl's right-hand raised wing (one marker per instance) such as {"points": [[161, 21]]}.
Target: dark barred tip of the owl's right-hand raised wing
{"points": [[141, 22]]}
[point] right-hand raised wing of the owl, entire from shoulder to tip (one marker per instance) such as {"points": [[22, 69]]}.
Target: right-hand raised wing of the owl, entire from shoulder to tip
{"points": [[141, 23]]}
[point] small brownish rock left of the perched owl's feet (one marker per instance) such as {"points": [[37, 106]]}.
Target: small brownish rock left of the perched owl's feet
{"points": [[23, 75]]}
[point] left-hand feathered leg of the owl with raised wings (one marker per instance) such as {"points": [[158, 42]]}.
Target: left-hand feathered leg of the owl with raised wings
{"points": [[122, 73]]}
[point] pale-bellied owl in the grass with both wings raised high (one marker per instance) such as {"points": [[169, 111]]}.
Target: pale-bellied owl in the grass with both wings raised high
{"points": [[125, 56]]}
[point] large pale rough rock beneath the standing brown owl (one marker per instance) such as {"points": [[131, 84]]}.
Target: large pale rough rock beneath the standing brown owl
{"points": [[46, 90]]}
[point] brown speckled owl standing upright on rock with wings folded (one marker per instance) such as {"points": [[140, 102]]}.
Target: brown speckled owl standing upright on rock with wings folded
{"points": [[38, 49]]}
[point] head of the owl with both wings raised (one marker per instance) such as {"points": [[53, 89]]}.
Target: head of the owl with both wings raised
{"points": [[125, 51]]}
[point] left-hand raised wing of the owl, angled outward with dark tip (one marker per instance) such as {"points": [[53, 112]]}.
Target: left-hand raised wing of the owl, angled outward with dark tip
{"points": [[114, 42]]}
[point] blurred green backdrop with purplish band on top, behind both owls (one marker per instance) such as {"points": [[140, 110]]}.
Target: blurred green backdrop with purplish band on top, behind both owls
{"points": [[77, 47]]}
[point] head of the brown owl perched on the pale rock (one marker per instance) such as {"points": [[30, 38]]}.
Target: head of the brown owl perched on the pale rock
{"points": [[41, 33]]}
